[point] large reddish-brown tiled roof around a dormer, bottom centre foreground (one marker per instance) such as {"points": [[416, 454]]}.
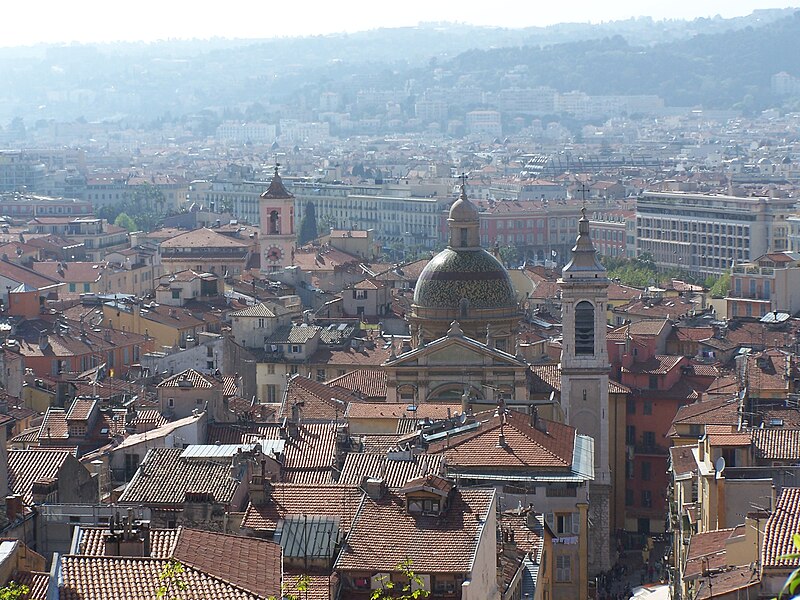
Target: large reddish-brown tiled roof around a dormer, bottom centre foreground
{"points": [[434, 544]]}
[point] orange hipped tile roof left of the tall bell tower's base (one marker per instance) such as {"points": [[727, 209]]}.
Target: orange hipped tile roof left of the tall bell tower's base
{"points": [[525, 445]]}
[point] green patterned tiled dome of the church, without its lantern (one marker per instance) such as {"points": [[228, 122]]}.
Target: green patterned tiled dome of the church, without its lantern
{"points": [[472, 274]]}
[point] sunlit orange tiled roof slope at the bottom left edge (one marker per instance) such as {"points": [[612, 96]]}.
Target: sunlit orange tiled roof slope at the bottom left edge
{"points": [[101, 578]]}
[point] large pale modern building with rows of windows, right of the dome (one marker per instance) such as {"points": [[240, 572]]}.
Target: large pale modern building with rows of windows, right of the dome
{"points": [[707, 233]]}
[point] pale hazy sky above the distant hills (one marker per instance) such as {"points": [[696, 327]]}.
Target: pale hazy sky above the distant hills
{"points": [[24, 22]]}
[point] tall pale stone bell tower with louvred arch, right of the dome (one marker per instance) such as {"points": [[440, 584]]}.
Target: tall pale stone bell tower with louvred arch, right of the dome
{"points": [[584, 381]]}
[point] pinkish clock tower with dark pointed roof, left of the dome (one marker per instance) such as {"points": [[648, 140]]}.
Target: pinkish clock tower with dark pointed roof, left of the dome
{"points": [[277, 237]]}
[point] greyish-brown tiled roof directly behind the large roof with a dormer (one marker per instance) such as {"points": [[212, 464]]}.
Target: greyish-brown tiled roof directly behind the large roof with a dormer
{"points": [[395, 473]]}
